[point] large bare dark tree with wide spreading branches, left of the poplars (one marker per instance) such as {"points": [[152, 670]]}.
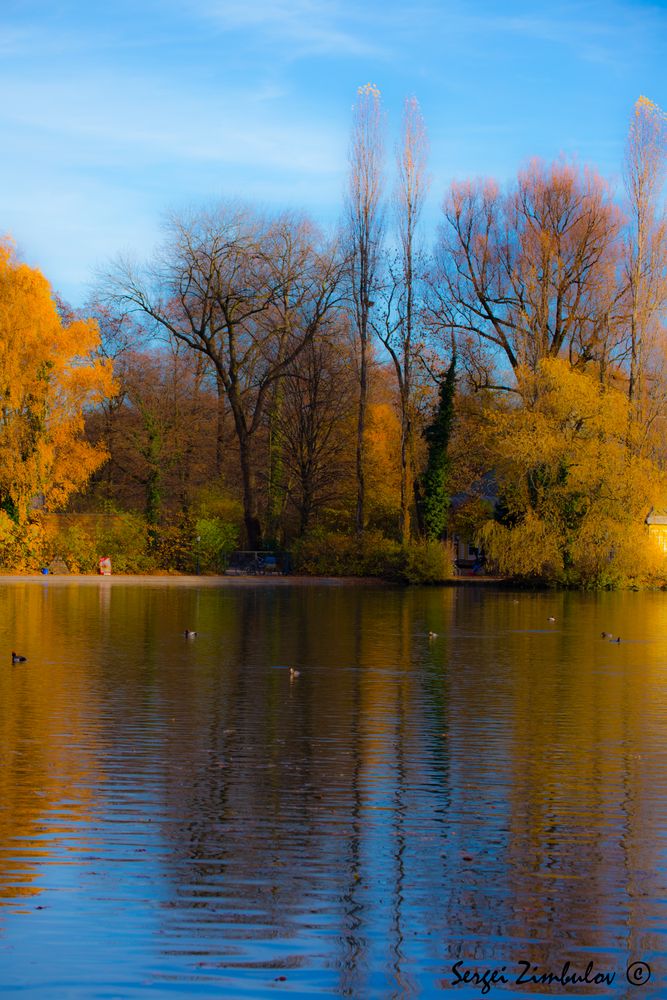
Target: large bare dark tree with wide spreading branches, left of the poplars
{"points": [[249, 294]]}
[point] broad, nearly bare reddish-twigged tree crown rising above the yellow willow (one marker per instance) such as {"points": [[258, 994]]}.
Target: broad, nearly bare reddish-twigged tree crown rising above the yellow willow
{"points": [[529, 273]]}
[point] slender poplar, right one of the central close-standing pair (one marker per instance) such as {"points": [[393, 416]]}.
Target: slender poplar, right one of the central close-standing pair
{"points": [[399, 325]]}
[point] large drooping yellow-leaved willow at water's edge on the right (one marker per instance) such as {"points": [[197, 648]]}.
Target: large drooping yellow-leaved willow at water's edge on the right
{"points": [[574, 492]]}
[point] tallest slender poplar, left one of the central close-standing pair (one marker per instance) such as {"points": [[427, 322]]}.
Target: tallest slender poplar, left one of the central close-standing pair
{"points": [[364, 229]]}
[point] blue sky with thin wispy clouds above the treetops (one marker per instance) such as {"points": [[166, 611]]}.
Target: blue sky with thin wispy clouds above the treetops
{"points": [[113, 113]]}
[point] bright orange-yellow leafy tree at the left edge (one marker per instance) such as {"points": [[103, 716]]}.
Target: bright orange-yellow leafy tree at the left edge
{"points": [[48, 375]]}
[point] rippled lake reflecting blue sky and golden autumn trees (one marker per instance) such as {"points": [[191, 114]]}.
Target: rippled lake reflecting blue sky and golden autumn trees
{"points": [[410, 815]]}
